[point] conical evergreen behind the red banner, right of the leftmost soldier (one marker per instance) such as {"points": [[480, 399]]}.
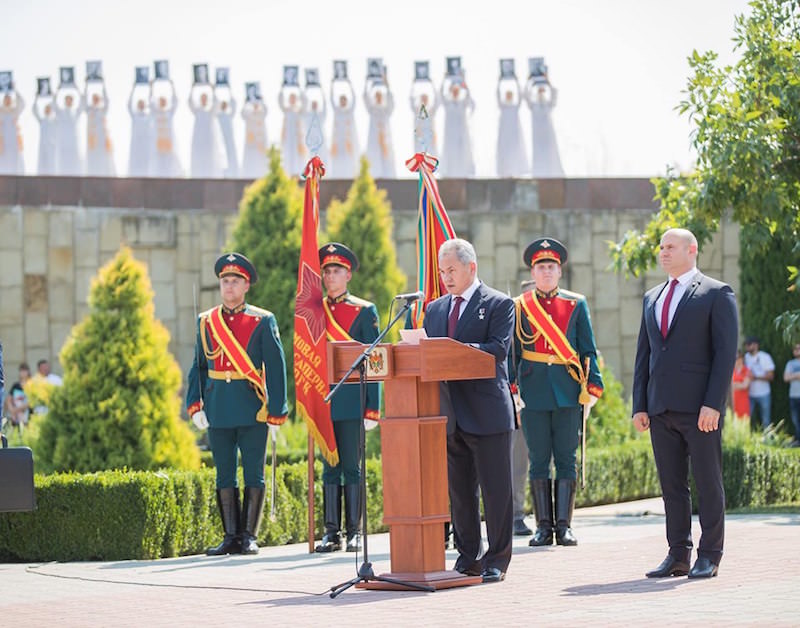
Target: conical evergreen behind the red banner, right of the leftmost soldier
{"points": [[268, 231]]}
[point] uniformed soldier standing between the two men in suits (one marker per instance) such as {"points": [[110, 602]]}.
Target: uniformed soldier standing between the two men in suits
{"points": [[556, 373]]}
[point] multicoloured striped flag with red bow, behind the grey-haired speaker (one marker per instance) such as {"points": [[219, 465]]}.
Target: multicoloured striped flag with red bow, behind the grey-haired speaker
{"points": [[433, 228]]}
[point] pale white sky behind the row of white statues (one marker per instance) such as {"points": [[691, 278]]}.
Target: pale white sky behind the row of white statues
{"points": [[619, 65]]}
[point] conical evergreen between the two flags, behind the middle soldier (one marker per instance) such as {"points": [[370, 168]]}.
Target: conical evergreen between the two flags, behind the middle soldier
{"points": [[363, 222]]}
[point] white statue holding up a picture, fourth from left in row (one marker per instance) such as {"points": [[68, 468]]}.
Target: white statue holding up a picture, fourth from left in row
{"points": [[99, 150]]}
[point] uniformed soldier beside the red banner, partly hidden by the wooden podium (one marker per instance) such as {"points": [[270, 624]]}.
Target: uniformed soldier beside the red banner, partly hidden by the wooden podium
{"points": [[347, 318]]}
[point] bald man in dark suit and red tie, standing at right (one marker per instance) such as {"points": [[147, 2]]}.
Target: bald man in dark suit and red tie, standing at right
{"points": [[684, 362]]}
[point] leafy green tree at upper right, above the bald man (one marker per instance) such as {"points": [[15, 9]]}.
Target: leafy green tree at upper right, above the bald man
{"points": [[747, 138]]}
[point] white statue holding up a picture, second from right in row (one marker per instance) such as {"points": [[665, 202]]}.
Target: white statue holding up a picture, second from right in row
{"points": [[511, 158]]}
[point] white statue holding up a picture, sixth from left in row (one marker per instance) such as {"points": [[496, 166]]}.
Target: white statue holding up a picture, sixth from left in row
{"points": [[164, 161]]}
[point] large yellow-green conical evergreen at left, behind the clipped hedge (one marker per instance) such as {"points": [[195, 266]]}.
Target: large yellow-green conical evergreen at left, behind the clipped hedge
{"points": [[120, 404]]}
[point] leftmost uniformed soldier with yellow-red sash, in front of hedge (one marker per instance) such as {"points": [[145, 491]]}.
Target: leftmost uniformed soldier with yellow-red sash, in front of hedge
{"points": [[237, 386]]}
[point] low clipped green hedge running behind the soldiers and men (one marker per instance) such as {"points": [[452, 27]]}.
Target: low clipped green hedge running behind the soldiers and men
{"points": [[117, 515]]}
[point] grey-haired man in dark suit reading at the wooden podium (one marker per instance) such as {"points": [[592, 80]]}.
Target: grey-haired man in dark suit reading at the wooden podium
{"points": [[480, 414]]}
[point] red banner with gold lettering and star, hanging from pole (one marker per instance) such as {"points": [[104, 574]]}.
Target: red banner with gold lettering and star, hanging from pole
{"points": [[310, 333]]}
